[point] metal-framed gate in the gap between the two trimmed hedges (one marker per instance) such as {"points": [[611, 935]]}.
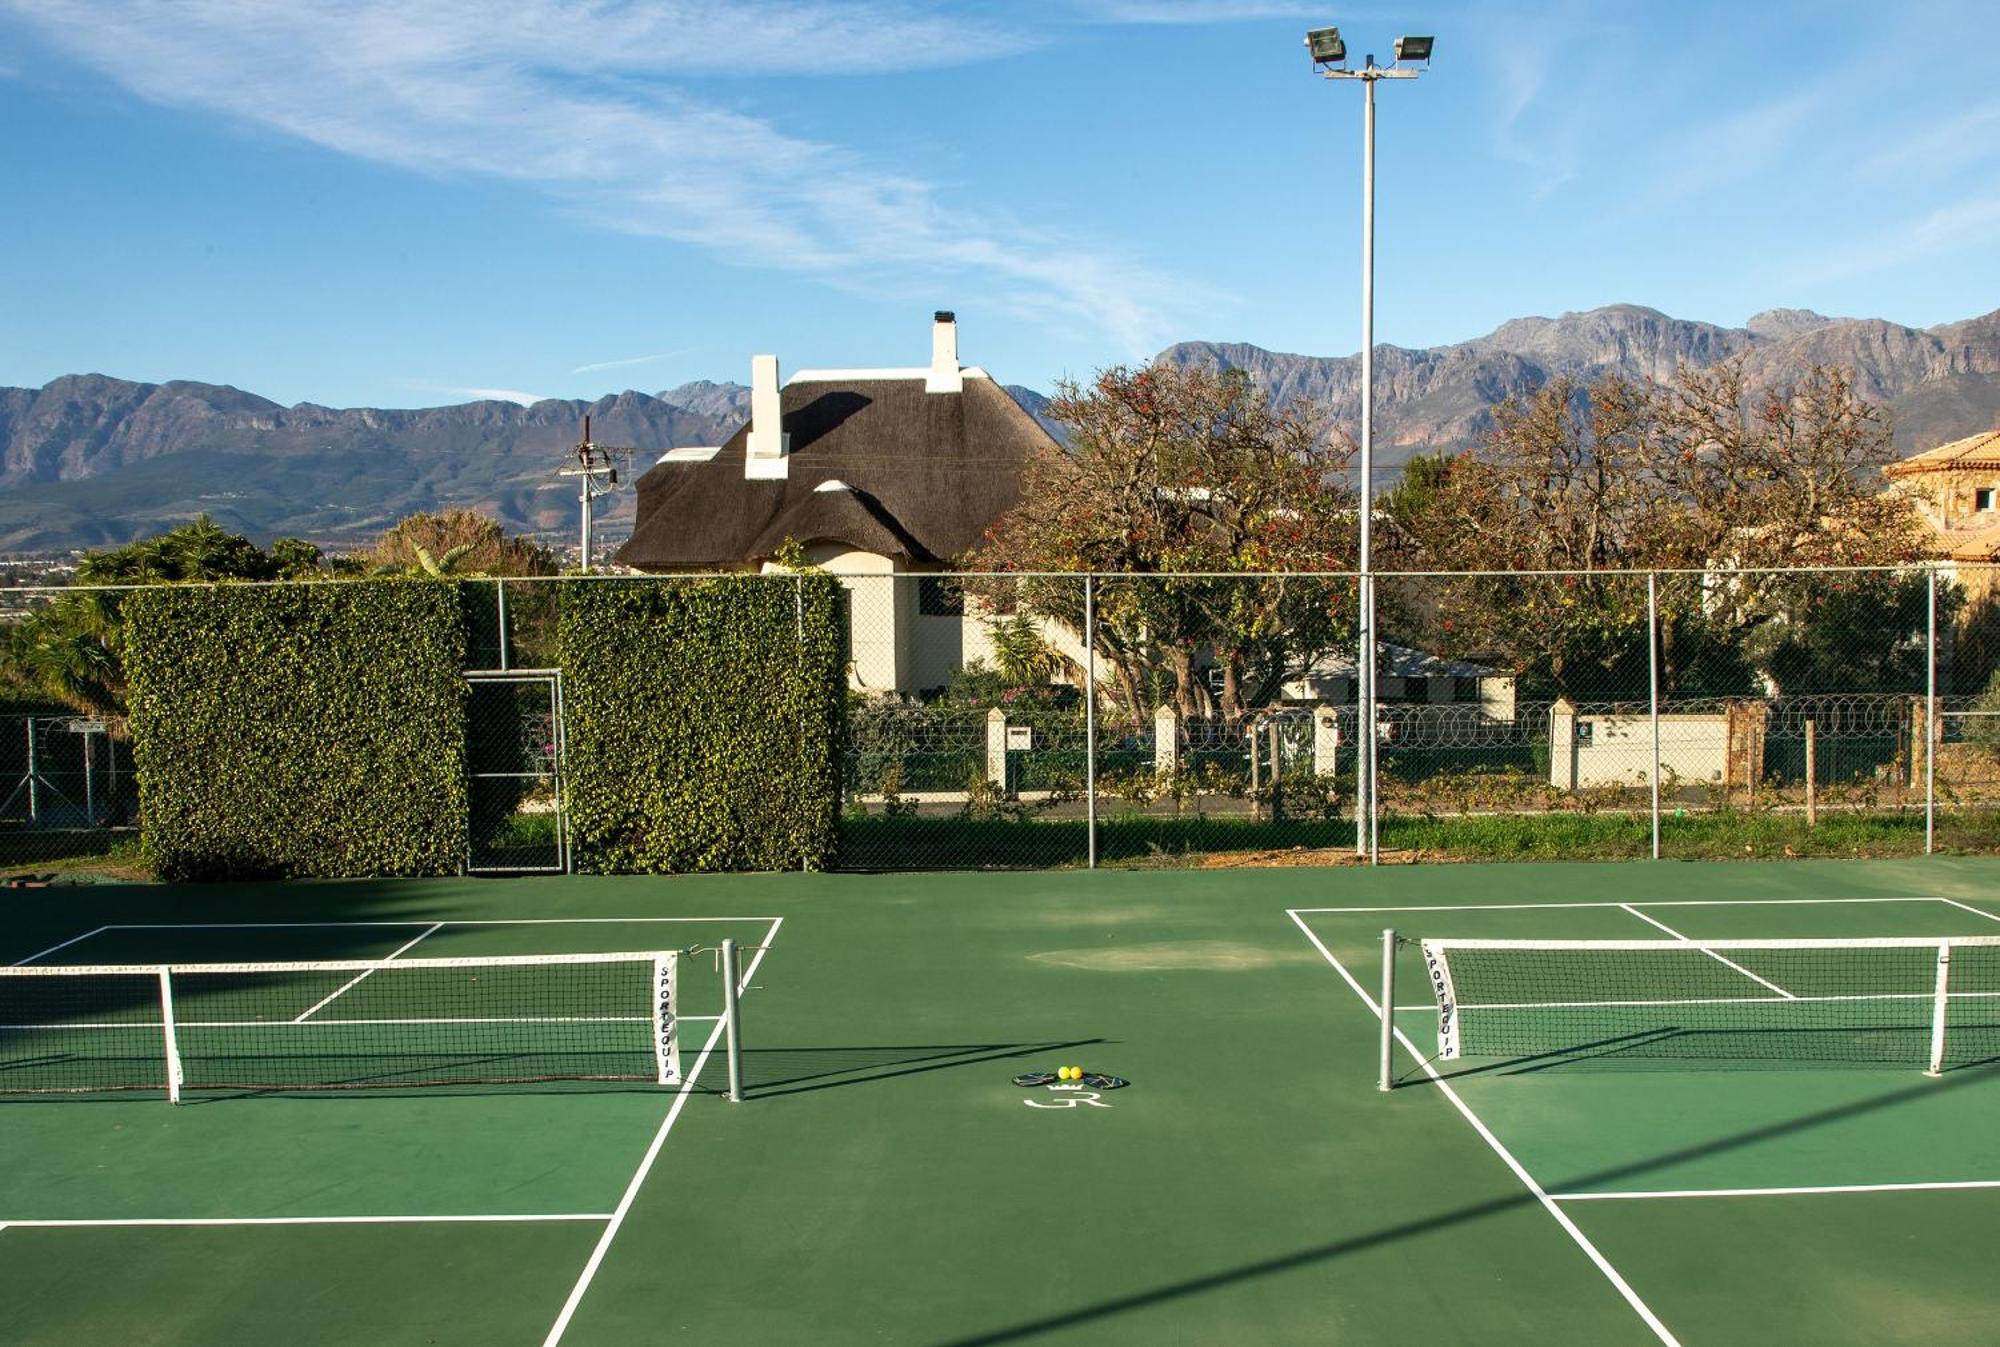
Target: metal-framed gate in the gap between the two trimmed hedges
{"points": [[515, 780]]}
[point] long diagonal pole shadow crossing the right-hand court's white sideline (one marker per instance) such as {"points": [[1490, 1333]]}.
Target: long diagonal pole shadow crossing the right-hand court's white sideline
{"points": [[1445, 1220]]}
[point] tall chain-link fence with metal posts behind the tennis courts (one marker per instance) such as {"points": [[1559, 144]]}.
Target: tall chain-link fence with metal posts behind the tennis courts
{"points": [[1207, 720]]}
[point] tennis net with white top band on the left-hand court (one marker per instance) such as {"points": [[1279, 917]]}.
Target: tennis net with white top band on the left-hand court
{"points": [[339, 1024]]}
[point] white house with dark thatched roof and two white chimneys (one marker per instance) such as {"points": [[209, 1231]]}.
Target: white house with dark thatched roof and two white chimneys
{"points": [[879, 475]]}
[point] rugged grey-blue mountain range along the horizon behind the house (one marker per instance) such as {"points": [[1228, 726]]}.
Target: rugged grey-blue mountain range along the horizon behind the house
{"points": [[93, 461]]}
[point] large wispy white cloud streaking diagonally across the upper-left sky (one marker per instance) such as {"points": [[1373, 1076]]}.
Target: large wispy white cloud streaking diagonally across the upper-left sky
{"points": [[585, 105]]}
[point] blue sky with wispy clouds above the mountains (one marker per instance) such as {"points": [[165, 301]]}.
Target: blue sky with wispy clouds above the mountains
{"points": [[399, 203]]}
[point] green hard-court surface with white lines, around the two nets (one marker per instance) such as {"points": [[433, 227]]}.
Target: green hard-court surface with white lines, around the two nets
{"points": [[885, 1180]]}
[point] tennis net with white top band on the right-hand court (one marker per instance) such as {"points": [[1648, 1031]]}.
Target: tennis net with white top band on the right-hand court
{"points": [[1921, 1002]]}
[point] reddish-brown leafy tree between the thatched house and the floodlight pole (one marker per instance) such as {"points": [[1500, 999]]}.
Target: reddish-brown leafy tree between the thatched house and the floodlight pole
{"points": [[1169, 473]]}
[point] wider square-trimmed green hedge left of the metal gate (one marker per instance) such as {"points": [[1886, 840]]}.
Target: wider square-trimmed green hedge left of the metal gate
{"points": [[299, 730]]}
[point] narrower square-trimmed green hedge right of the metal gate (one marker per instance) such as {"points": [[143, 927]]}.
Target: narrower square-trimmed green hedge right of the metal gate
{"points": [[703, 722]]}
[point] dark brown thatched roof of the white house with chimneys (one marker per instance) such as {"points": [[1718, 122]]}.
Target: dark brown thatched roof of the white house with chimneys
{"points": [[875, 463]]}
